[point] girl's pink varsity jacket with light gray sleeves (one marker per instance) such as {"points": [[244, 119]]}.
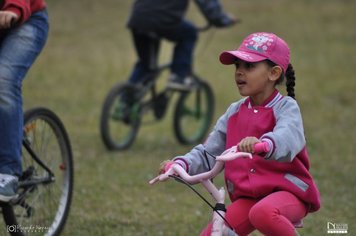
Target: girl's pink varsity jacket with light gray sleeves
{"points": [[284, 168]]}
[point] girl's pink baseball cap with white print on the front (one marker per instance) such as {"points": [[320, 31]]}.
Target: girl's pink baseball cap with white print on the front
{"points": [[258, 47]]}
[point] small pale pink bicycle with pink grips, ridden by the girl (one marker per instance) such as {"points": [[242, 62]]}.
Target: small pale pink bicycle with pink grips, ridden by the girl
{"points": [[177, 172]]}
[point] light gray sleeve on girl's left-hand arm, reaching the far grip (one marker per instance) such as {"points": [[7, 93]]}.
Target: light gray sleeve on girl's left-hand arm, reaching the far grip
{"points": [[198, 159]]}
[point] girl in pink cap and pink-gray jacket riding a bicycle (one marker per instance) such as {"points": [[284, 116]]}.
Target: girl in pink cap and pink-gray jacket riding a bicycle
{"points": [[272, 191]]}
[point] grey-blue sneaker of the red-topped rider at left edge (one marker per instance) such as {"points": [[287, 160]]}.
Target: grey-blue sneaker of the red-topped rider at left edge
{"points": [[8, 187]]}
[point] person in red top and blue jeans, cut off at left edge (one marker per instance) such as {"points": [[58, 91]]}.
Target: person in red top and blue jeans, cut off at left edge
{"points": [[23, 33]]}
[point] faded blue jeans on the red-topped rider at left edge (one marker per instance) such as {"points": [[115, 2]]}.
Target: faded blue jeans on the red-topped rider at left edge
{"points": [[18, 50]]}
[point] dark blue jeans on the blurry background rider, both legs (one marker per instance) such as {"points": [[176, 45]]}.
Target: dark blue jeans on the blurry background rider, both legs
{"points": [[183, 35]]}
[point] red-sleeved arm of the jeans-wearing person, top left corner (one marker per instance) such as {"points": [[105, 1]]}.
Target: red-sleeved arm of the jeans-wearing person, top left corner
{"points": [[20, 8]]}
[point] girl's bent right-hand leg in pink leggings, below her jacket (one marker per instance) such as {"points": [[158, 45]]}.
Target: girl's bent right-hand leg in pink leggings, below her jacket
{"points": [[274, 214]]}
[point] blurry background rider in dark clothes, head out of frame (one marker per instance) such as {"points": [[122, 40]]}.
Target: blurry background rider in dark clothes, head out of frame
{"points": [[165, 19]]}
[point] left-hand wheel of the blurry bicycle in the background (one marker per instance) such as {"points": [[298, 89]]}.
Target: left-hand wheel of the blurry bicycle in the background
{"points": [[120, 117]]}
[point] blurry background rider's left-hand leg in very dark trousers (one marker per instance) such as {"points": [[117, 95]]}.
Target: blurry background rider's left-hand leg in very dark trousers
{"points": [[147, 52]]}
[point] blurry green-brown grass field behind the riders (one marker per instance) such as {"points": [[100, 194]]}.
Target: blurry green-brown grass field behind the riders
{"points": [[89, 50]]}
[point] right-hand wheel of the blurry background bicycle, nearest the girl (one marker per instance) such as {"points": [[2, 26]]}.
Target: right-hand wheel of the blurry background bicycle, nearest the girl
{"points": [[193, 114]]}
